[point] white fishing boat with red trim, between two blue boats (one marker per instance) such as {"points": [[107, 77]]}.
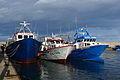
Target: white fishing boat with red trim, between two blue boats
{"points": [[54, 49]]}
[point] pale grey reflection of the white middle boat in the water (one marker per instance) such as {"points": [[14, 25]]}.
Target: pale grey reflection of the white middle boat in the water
{"points": [[56, 71]]}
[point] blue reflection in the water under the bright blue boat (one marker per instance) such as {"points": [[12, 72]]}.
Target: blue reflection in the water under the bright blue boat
{"points": [[89, 66]]}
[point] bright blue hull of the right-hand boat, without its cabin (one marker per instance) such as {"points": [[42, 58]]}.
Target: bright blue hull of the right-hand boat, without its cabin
{"points": [[91, 53]]}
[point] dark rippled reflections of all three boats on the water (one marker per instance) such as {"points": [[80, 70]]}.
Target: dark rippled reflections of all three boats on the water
{"points": [[47, 70]]}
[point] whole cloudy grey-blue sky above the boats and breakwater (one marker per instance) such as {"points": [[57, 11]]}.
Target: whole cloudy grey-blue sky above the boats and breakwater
{"points": [[101, 16]]}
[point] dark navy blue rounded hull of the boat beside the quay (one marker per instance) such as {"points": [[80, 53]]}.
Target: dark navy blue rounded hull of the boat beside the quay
{"points": [[24, 50]]}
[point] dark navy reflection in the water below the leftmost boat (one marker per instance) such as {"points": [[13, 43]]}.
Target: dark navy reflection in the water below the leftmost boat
{"points": [[28, 71]]}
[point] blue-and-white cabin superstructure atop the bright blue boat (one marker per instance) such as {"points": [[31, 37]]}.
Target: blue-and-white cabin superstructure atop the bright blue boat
{"points": [[83, 39]]}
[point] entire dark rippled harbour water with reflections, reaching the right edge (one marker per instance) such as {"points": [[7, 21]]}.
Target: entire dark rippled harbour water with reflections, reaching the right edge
{"points": [[72, 70]]}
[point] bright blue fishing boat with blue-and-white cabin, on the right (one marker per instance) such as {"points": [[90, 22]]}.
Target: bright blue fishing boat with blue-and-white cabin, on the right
{"points": [[86, 47]]}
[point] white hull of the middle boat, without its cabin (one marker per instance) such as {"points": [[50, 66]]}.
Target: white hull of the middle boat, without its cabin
{"points": [[60, 53]]}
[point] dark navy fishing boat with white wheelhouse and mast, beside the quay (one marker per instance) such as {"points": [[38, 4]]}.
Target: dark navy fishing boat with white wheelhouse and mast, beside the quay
{"points": [[23, 47]]}
